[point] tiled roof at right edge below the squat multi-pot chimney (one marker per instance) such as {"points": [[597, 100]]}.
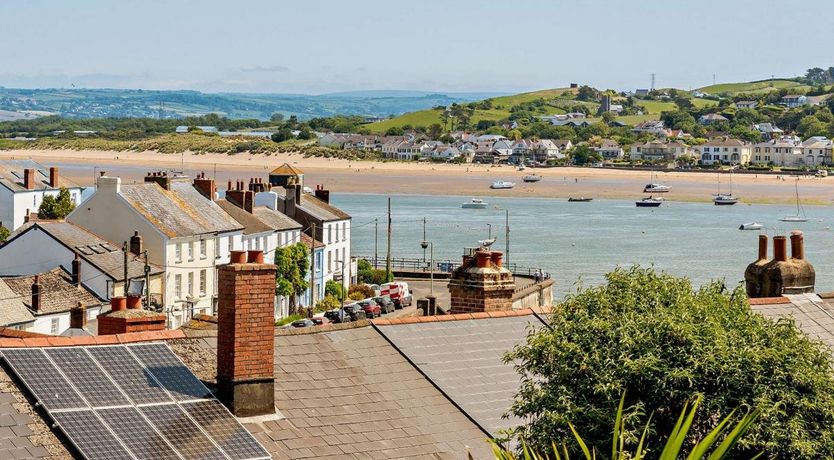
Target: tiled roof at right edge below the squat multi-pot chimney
{"points": [[813, 314]]}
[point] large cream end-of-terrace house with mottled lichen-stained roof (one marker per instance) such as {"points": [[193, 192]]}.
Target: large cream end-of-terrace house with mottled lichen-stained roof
{"points": [[181, 229]]}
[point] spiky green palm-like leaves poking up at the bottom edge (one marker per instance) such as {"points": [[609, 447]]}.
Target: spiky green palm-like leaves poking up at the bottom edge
{"points": [[710, 447]]}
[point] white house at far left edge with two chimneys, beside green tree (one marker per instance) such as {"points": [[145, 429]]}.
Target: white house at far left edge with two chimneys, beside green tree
{"points": [[24, 184]]}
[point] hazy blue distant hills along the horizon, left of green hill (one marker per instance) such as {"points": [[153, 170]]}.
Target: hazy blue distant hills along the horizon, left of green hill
{"points": [[96, 103]]}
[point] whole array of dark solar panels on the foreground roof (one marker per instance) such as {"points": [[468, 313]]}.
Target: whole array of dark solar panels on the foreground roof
{"points": [[134, 401]]}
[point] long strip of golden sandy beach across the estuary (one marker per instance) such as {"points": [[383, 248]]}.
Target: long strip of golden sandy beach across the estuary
{"points": [[428, 178]]}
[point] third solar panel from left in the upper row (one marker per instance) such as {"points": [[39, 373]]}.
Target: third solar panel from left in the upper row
{"points": [[131, 376]]}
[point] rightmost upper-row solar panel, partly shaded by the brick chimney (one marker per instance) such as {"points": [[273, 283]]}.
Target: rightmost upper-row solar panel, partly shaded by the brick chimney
{"points": [[170, 371]]}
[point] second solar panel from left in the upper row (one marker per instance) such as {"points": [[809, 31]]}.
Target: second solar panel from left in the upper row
{"points": [[88, 379]]}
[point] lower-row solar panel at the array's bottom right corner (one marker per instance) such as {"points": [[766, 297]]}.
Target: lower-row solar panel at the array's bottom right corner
{"points": [[225, 430]]}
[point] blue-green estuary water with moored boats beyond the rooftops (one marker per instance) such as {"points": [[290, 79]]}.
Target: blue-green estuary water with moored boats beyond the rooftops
{"points": [[580, 242]]}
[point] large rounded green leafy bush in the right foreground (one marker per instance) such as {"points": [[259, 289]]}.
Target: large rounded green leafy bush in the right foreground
{"points": [[659, 340]]}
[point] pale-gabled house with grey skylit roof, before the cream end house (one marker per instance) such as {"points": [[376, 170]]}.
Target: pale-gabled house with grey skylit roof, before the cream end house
{"points": [[99, 263]]}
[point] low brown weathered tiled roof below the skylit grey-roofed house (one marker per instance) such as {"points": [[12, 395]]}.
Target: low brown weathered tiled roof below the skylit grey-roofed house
{"points": [[58, 294]]}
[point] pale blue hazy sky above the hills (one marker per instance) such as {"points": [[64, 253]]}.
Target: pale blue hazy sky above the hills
{"points": [[318, 46]]}
